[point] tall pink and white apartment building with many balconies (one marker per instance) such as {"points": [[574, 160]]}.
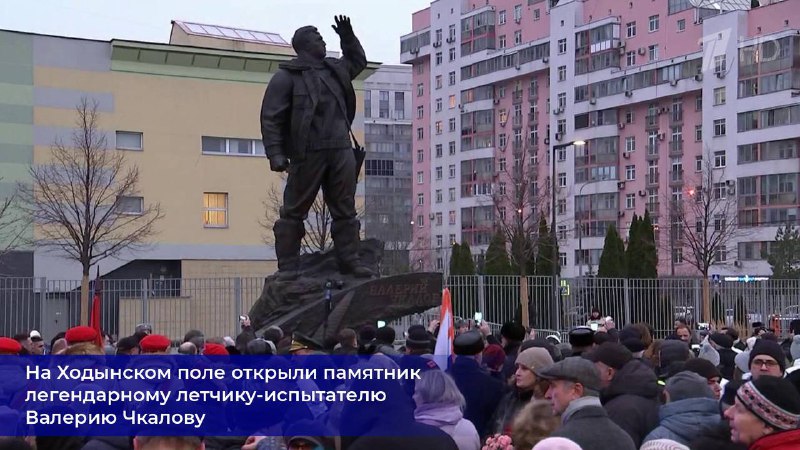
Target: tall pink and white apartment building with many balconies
{"points": [[655, 89]]}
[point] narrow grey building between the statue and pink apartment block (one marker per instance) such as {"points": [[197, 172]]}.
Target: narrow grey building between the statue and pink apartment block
{"points": [[387, 167]]}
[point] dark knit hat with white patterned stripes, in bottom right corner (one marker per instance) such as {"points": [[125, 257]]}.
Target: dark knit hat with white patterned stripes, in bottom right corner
{"points": [[773, 400]]}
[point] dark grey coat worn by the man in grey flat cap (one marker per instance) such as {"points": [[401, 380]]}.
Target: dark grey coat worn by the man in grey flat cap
{"points": [[591, 429]]}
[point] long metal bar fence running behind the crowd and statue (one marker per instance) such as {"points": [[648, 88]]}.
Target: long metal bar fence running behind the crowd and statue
{"points": [[213, 305]]}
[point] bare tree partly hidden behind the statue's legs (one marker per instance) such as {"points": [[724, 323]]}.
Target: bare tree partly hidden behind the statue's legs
{"points": [[318, 224]]}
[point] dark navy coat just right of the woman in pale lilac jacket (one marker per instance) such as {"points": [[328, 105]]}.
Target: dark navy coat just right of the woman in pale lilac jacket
{"points": [[481, 391]]}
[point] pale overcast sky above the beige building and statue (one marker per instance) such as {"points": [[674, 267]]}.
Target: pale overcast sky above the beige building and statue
{"points": [[378, 23]]}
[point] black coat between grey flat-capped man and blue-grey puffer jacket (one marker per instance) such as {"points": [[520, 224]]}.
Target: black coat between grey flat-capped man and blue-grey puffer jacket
{"points": [[631, 400]]}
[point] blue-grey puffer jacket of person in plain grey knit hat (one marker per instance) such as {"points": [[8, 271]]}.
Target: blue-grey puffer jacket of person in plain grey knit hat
{"points": [[681, 421]]}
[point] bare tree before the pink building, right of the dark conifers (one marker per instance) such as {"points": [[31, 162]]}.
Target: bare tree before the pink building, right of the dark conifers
{"points": [[704, 222]]}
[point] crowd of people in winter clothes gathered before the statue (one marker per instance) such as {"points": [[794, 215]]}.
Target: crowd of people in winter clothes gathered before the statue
{"points": [[603, 388]]}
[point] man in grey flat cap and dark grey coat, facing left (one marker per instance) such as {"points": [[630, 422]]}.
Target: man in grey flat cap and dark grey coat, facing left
{"points": [[574, 393]]}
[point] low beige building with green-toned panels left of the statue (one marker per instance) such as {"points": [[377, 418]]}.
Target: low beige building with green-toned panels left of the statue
{"points": [[185, 112]]}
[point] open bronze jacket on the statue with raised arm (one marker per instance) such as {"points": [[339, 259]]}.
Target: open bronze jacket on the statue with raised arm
{"points": [[292, 95]]}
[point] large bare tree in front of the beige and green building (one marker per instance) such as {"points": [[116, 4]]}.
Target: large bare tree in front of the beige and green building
{"points": [[83, 201]]}
